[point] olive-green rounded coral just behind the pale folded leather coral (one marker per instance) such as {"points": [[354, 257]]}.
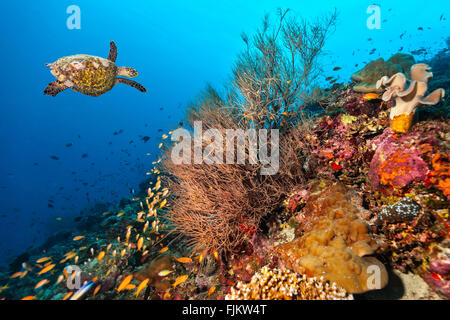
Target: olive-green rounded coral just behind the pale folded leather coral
{"points": [[366, 78]]}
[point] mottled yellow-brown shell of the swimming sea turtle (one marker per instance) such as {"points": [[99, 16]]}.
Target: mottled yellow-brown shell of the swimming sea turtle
{"points": [[87, 74]]}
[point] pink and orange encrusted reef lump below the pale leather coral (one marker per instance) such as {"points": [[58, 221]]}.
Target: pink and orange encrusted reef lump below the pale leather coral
{"points": [[414, 158]]}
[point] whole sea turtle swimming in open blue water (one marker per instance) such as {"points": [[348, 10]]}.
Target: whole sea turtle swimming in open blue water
{"points": [[90, 75]]}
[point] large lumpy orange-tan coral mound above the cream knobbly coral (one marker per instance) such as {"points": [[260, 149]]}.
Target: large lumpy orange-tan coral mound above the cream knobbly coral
{"points": [[335, 243]]}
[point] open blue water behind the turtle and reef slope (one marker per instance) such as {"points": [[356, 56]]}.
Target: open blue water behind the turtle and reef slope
{"points": [[177, 47]]}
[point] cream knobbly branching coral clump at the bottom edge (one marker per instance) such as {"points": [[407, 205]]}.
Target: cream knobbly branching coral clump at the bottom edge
{"points": [[277, 284]]}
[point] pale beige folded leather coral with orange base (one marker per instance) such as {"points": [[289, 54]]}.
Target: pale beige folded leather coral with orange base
{"points": [[407, 100]]}
